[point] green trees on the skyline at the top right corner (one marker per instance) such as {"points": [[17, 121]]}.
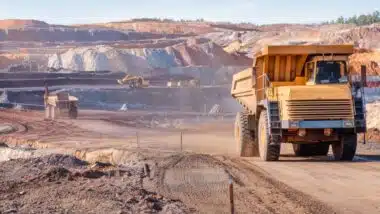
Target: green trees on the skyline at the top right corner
{"points": [[364, 19]]}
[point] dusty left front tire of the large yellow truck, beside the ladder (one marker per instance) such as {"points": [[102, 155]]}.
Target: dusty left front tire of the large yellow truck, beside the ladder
{"points": [[268, 151]]}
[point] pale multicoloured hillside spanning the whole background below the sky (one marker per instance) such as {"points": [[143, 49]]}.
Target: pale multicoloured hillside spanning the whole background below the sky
{"points": [[150, 43]]}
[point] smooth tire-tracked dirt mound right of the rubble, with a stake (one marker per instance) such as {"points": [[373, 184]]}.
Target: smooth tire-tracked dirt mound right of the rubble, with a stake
{"points": [[201, 181]]}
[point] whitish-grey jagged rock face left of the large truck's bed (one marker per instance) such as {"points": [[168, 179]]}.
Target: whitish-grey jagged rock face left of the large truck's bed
{"points": [[101, 58]]}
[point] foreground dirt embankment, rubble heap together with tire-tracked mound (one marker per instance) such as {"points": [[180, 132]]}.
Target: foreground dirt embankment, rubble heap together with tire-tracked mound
{"points": [[183, 183]]}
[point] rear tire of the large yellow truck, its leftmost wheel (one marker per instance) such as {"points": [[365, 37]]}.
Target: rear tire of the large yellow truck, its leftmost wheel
{"points": [[245, 138]]}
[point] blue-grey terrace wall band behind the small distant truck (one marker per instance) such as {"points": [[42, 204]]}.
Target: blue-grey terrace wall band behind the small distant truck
{"points": [[161, 99]]}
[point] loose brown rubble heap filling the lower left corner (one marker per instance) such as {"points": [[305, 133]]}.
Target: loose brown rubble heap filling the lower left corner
{"points": [[65, 184]]}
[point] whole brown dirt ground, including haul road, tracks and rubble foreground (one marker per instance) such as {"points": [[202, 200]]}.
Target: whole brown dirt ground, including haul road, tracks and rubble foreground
{"points": [[158, 174]]}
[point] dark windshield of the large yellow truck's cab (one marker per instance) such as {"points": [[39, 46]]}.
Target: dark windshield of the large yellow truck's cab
{"points": [[330, 72]]}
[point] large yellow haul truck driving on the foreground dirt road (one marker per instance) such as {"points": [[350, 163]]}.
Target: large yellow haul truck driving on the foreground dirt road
{"points": [[303, 95]]}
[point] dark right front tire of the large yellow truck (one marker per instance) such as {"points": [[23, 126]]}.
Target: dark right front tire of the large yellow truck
{"points": [[345, 149]]}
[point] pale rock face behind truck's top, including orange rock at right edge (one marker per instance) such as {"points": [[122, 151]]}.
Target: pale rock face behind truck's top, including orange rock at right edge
{"points": [[363, 37]]}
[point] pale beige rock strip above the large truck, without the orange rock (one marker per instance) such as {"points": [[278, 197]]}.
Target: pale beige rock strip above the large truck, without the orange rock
{"points": [[367, 37]]}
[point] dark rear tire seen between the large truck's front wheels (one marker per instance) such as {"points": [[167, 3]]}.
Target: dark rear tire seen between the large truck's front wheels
{"points": [[304, 150]]}
